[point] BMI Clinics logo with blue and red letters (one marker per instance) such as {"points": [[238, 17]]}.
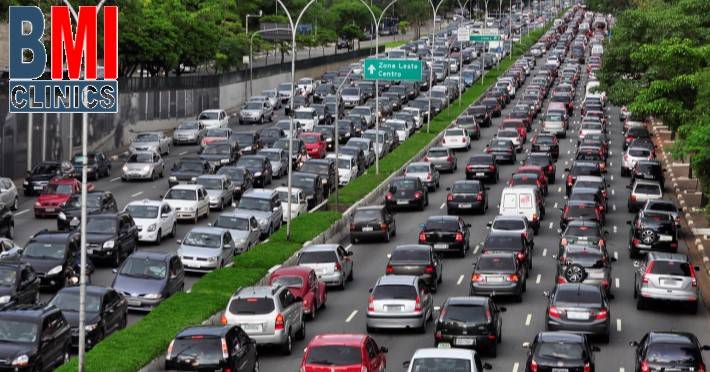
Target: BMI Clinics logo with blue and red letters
{"points": [[68, 88]]}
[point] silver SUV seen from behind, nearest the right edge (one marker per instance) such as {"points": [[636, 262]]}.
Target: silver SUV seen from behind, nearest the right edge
{"points": [[666, 277]]}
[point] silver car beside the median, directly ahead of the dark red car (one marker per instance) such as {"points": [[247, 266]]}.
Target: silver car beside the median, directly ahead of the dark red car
{"points": [[331, 262]]}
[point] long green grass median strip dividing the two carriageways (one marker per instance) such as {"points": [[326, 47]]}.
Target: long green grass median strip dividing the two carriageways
{"points": [[137, 345]]}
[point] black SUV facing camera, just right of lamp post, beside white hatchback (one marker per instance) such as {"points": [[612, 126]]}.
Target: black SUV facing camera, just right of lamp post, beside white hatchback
{"points": [[111, 237]]}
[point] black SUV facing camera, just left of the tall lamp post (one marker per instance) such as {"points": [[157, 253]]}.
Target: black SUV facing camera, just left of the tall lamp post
{"points": [[54, 256]]}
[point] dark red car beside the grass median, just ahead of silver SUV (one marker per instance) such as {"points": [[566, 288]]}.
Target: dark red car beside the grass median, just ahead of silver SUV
{"points": [[304, 283]]}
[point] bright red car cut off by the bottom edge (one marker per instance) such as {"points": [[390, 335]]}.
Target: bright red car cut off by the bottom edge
{"points": [[343, 353]]}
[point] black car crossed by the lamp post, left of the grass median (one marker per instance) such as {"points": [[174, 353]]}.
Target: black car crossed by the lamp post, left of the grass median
{"points": [[106, 312]]}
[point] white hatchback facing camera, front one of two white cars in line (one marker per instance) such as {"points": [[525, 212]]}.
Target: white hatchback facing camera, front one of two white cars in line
{"points": [[155, 219]]}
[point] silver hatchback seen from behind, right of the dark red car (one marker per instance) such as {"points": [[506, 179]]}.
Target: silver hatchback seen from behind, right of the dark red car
{"points": [[401, 302]]}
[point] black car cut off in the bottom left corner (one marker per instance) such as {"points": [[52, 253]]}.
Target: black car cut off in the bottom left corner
{"points": [[34, 338]]}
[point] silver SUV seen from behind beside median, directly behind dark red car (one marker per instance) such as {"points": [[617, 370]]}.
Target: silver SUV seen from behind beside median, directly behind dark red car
{"points": [[269, 315]]}
